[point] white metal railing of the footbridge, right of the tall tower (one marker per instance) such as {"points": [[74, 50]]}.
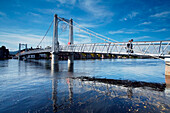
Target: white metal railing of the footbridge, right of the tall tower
{"points": [[154, 48]]}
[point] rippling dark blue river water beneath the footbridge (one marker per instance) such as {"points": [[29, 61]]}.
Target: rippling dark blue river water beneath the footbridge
{"points": [[99, 86]]}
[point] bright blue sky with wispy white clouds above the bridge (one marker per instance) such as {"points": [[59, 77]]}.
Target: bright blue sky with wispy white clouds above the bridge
{"points": [[26, 21]]}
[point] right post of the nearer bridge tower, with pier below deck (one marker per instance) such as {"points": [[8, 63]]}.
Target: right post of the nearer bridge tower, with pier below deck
{"points": [[71, 56]]}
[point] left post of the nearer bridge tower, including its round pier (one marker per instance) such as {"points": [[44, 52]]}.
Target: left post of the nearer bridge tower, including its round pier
{"points": [[55, 43]]}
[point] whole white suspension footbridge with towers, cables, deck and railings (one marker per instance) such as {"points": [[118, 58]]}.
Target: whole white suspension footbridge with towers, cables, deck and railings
{"points": [[156, 49]]}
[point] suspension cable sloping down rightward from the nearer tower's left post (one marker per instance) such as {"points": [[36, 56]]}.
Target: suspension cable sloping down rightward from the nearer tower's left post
{"points": [[84, 30]]}
